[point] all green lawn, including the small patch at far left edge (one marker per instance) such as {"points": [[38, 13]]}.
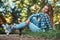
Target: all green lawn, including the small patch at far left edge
{"points": [[47, 34]]}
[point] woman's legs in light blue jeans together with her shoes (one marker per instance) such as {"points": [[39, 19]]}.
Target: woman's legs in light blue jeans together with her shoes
{"points": [[32, 27]]}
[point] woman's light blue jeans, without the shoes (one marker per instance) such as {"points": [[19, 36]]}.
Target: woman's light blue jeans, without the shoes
{"points": [[31, 26]]}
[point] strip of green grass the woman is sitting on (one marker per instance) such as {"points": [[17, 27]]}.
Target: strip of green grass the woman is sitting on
{"points": [[53, 34]]}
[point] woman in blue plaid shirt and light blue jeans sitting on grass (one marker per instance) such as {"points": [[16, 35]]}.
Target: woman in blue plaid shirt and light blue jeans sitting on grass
{"points": [[33, 24]]}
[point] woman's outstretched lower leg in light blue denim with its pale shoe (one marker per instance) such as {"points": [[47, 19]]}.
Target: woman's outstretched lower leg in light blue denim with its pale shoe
{"points": [[9, 28]]}
